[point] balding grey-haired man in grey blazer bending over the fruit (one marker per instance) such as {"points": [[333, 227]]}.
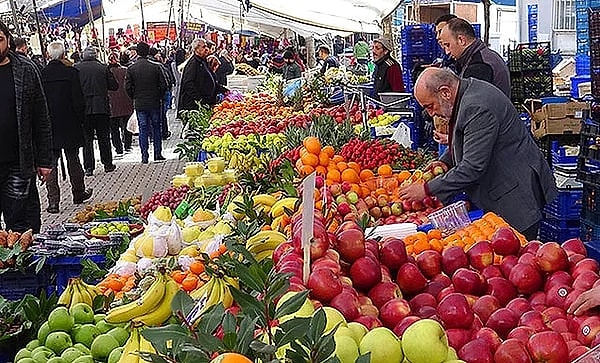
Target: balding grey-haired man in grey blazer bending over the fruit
{"points": [[491, 156]]}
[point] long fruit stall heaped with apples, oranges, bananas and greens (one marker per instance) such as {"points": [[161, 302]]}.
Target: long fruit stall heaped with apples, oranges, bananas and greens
{"points": [[284, 238]]}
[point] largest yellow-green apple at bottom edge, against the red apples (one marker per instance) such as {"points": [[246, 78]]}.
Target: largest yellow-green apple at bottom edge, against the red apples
{"points": [[425, 341]]}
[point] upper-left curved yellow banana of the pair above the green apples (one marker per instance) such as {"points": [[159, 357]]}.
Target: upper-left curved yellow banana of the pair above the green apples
{"points": [[149, 300]]}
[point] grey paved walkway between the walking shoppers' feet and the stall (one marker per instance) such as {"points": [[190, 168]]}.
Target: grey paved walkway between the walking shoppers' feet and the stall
{"points": [[131, 178]]}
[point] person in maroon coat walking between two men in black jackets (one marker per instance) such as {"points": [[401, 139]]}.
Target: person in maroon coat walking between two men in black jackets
{"points": [[121, 106]]}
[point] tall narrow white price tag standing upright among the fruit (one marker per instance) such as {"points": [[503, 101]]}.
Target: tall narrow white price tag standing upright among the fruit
{"points": [[308, 218]]}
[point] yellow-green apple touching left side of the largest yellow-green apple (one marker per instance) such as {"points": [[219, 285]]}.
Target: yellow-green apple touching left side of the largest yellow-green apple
{"points": [[384, 346]]}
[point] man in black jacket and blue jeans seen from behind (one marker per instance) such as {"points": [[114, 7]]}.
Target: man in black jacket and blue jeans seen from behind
{"points": [[145, 83]]}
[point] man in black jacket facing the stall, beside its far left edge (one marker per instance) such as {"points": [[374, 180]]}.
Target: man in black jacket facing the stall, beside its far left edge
{"points": [[198, 81]]}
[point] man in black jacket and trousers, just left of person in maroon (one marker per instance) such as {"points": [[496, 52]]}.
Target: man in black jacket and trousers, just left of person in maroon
{"points": [[96, 81]]}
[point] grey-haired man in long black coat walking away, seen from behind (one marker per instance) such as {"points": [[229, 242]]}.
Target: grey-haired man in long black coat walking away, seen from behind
{"points": [[67, 112]]}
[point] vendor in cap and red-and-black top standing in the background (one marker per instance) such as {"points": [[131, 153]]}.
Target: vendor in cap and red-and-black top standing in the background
{"points": [[388, 74]]}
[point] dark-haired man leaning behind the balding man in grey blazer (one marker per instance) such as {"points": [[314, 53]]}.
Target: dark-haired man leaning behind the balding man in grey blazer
{"points": [[473, 57]]}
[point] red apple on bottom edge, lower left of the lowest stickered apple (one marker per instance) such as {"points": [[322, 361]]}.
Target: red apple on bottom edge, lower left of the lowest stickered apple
{"points": [[549, 347]]}
